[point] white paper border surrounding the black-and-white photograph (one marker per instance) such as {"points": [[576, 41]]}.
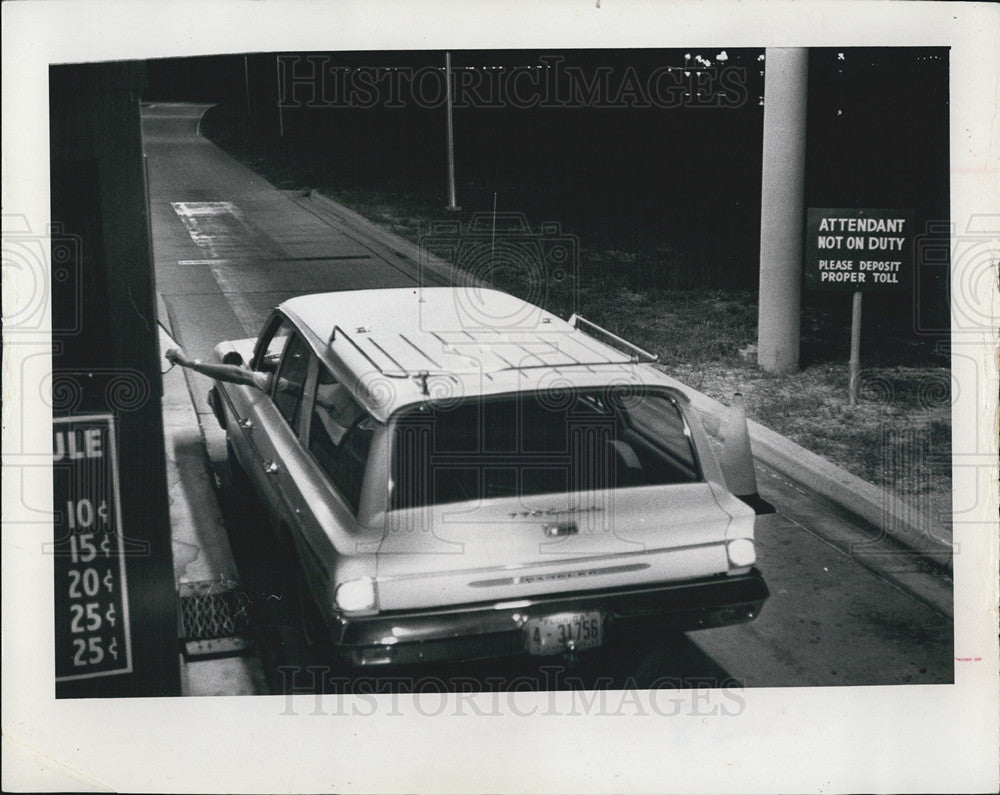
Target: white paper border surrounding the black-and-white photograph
{"points": [[901, 738]]}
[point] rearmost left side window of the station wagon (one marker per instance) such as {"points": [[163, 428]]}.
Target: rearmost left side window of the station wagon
{"points": [[340, 434]]}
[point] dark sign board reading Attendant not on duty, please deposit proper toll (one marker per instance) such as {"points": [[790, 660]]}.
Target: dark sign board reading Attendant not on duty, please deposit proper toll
{"points": [[852, 249]]}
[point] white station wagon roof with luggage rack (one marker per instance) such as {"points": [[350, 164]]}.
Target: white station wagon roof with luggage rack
{"points": [[395, 347]]}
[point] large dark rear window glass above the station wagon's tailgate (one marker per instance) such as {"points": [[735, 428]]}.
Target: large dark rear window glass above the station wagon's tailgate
{"points": [[538, 443]]}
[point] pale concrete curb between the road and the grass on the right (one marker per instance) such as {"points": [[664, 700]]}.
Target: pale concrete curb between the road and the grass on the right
{"points": [[870, 503]]}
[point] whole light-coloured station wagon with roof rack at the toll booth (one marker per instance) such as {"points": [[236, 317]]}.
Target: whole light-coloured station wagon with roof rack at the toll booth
{"points": [[465, 475]]}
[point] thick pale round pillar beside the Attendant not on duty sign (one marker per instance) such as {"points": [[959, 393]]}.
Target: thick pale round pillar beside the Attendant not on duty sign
{"points": [[781, 208]]}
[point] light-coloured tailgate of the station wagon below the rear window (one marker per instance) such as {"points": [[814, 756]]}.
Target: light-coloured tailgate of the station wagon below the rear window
{"points": [[513, 548]]}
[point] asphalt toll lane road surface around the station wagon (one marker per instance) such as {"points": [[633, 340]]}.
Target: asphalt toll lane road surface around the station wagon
{"points": [[847, 606]]}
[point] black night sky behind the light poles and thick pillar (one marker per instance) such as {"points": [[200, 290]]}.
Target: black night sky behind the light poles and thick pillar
{"points": [[683, 166]]}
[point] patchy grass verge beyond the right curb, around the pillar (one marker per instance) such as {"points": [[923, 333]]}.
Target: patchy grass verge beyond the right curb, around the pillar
{"points": [[636, 284]]}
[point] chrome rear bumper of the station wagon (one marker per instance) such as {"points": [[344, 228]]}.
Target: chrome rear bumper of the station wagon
{"points": [[493, 630]]}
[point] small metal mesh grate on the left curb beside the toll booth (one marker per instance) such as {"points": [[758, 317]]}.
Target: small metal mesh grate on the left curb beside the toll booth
{"points": [[212, 618]]}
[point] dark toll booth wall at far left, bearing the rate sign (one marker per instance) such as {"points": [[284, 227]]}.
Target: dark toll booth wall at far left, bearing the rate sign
{"points": [[106, 358]]}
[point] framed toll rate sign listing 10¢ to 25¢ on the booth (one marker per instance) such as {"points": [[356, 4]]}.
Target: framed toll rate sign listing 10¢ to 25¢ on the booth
{"points": [[91, 597]]}
